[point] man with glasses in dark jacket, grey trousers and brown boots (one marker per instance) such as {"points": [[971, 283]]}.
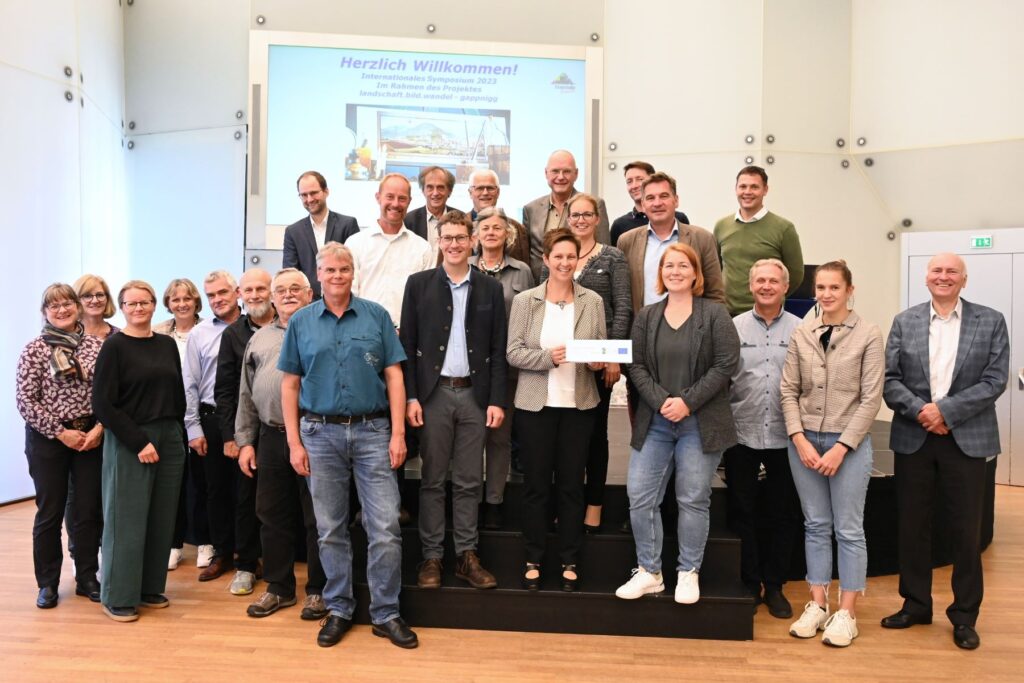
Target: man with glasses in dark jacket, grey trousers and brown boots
{"points": [[454, 332]]}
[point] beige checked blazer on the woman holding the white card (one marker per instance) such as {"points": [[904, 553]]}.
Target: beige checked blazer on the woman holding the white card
{"points": [[534, 363]]}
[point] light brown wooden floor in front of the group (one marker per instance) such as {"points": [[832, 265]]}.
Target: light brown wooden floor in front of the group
{"points": [[205, 635]]}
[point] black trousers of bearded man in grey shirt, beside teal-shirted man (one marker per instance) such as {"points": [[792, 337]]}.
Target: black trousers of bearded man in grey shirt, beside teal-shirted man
{"points": [[281, 494]]}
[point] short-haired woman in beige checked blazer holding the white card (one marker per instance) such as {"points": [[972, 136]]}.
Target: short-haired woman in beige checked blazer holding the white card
{"points": [[553, 403]]}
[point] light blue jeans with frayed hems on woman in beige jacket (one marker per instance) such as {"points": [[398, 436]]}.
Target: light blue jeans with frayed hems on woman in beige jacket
{"points": [[836, 502]]}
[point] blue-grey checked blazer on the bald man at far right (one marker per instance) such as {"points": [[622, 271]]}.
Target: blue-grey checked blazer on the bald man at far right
{"points": [[980, 375]]}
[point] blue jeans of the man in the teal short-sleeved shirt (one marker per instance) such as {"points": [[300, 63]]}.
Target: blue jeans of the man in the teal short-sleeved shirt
{"points": [[336, 453]]}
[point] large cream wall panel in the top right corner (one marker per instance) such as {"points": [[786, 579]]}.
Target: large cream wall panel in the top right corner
{"points": [[937, 73]]}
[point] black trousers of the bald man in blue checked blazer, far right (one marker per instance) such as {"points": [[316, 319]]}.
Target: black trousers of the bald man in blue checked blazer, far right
{"points": [[941, 473]]}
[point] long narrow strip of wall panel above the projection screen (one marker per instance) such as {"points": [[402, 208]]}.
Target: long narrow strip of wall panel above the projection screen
{"points": [[565, 22]]}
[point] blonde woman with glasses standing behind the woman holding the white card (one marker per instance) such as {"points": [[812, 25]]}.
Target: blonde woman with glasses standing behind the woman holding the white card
{"points": [[603, 270]]}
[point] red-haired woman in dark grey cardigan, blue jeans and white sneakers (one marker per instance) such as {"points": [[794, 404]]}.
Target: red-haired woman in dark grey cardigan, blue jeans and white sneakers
{"points": [[685, 352]]}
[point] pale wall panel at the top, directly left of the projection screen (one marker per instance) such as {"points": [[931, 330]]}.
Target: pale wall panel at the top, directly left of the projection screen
{"points": [[187, 64]]}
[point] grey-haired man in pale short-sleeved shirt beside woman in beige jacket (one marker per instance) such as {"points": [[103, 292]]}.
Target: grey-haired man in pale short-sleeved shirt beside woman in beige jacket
{"points": [[764, 337]]}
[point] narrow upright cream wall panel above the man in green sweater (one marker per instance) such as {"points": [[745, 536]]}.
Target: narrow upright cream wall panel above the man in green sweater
{"points": [[806, 74]]}
